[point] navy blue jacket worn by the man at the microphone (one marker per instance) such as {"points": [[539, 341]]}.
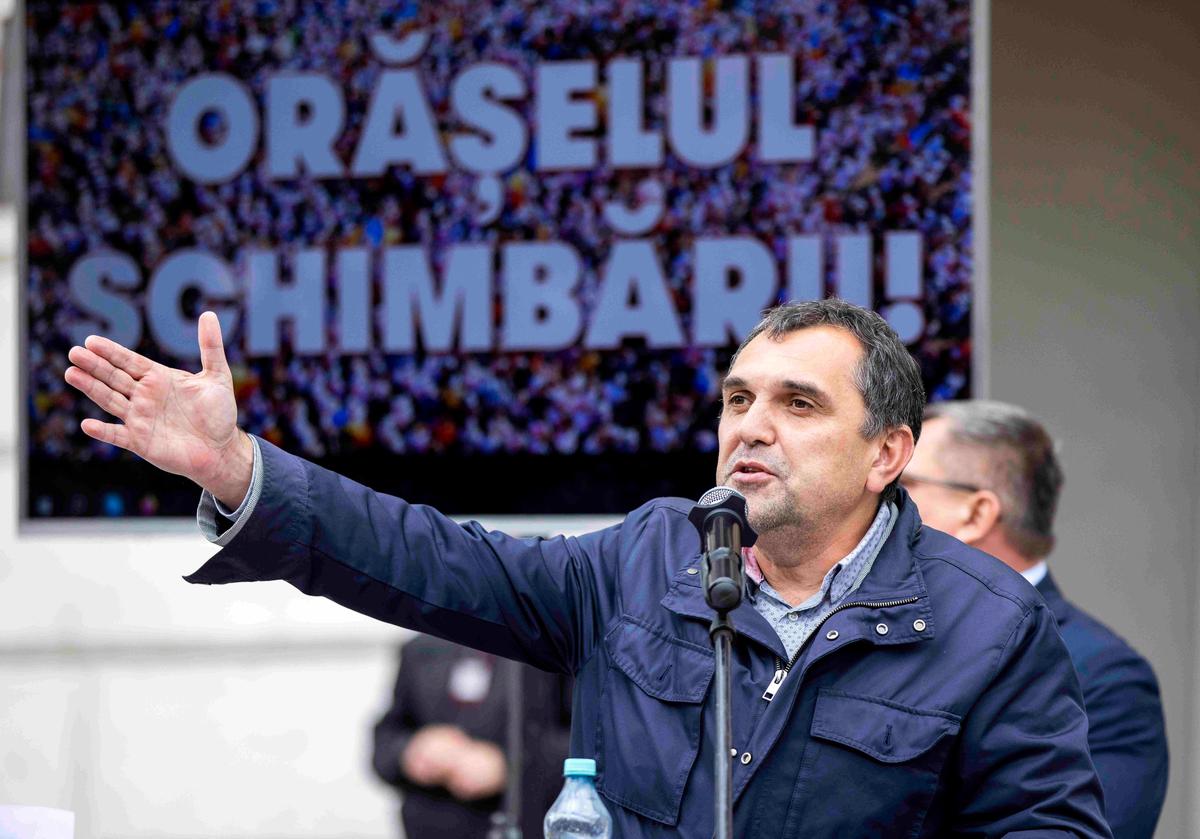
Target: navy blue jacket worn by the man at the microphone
{"points": [[940, 702]]}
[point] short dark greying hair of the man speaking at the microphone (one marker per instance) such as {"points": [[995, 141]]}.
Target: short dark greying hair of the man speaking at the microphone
{"points": [[889, 376]]}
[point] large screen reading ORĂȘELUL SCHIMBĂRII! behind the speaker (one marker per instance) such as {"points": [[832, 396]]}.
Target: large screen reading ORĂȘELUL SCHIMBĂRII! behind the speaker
{"points": [[488, 255]]}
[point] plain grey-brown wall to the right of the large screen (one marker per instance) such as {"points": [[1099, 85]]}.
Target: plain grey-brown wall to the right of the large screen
{"points": [[1096, 311]]}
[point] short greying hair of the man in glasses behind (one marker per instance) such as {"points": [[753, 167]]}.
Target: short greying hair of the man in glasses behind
{"points": [[1019, 464]]}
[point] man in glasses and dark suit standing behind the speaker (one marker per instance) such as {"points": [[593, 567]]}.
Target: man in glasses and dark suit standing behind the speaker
{"points": [[987, 474]]}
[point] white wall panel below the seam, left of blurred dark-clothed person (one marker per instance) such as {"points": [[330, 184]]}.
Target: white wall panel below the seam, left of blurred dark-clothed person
{"points": [[274, 744]]}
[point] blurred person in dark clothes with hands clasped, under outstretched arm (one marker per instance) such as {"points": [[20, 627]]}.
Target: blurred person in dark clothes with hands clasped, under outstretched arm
{"points": [[442, 744]]}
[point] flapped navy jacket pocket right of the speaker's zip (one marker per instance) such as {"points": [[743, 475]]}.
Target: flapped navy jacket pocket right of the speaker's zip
{"points": [[883, 759]]}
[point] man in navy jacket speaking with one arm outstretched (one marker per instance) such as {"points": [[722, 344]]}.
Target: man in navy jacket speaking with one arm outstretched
{"points": [[887, 680]]}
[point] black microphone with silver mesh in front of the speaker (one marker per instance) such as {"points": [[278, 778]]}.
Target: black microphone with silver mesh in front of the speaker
{"points": [[721, 517]]}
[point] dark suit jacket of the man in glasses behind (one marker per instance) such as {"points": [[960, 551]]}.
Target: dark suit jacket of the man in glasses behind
{"points": [[1125, 716]]}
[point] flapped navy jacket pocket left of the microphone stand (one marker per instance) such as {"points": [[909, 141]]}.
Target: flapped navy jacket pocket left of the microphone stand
{"points": [[650, 724]]}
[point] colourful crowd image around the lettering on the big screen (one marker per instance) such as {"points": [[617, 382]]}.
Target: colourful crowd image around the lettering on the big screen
{"points": [[885, 88]]}
